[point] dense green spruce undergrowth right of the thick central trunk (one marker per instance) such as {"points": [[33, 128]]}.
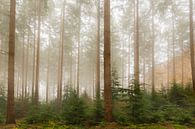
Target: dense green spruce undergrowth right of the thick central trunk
{"points": [[175, 105]]}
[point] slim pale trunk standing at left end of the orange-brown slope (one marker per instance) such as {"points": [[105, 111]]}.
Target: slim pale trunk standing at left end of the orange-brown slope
{"points": [[153, 49]]}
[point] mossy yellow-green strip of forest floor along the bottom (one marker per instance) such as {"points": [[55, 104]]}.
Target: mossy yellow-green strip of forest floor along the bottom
{"points": [[102, 126]]}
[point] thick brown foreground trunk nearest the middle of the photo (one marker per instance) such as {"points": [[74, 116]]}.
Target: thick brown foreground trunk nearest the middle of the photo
{"points": [[107, 63]]}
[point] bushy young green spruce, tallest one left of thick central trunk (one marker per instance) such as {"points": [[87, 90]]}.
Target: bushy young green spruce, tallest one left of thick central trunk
{"points": [[73, 109]]}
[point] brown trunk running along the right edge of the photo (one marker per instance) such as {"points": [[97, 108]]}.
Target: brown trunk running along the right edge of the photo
{"points": [[192, 43]]}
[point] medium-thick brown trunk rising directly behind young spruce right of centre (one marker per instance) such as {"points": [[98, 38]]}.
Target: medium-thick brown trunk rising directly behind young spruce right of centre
{"points": [[136, 44]]}
